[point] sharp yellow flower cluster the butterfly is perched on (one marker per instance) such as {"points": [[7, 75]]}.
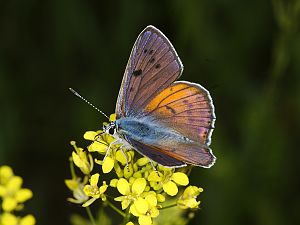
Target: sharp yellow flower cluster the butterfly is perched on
{"points": [[145, 188]]}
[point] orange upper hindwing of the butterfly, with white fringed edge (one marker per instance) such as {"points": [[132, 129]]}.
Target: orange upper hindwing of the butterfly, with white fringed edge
{"points": [[186, 108]]}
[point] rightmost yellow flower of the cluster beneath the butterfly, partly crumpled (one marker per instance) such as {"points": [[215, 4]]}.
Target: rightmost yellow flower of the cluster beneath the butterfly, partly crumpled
{"points": [[188, 198]]}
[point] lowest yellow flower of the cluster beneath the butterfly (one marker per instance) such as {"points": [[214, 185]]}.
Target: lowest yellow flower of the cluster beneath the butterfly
{"points": [[145, 209]]}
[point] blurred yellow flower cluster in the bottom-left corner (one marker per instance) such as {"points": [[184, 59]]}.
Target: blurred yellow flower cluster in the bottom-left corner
{"points": [[13, 196]]}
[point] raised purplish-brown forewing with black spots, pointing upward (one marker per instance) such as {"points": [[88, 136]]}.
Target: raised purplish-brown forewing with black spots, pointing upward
{"points": [[153, 65]]}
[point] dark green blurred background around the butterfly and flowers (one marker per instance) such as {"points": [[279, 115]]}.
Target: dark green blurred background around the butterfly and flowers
{"points": [[247, 53]]}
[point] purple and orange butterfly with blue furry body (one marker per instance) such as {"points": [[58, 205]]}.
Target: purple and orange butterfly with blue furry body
{"points": [[168, 121]]}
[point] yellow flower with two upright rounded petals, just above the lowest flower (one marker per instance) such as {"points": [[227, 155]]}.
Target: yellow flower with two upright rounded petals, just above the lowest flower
{"points": [[130, 192]]}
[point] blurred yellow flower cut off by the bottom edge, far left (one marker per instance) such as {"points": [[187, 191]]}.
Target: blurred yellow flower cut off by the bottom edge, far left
{"points": [[10, 219]]}
